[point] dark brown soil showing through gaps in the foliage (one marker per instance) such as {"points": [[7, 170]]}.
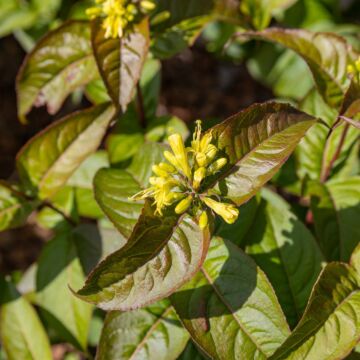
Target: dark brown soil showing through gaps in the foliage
{"points": [[195, 85]]}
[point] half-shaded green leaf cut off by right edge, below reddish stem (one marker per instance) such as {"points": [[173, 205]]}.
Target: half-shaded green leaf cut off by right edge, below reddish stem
{"points": [[336, 210]]}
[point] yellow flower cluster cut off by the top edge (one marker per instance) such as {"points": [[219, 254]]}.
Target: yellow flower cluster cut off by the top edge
{"points": [[119, 15]]}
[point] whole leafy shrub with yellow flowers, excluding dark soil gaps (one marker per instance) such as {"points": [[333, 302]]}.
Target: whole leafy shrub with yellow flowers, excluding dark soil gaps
{"points": [[242, 242]]}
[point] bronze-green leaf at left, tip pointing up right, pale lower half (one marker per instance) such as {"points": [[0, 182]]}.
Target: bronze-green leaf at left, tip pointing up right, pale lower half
{"points": [[47, 161]]}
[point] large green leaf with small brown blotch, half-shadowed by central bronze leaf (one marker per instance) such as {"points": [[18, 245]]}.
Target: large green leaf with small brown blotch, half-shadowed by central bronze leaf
{"points": [[230, 308]]}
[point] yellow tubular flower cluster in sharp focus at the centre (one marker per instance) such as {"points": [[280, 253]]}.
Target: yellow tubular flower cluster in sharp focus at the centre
{"points": [[178, 181]]}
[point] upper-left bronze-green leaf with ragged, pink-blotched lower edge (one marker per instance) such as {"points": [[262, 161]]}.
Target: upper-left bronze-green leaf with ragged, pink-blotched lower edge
{"points": [[60, 63]]}
